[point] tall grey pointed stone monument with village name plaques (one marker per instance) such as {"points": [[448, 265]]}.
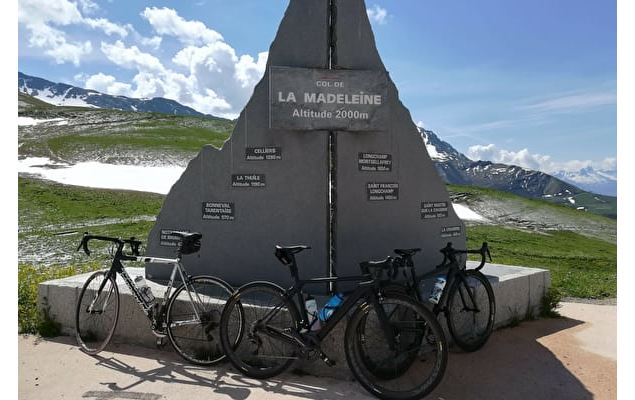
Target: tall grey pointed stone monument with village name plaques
{"points": [[323, 154]]}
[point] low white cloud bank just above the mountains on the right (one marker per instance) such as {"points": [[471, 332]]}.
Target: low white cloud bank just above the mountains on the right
{"points": [[540, 162]]}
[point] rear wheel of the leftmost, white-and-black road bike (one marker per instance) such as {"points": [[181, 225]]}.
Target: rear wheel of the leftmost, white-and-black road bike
{"points": [[198, 341]]}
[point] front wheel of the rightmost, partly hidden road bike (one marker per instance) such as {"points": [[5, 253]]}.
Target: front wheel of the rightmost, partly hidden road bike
{"points": [[468, 333]]}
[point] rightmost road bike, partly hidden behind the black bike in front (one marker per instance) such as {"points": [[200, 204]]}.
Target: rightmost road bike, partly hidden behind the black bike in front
{"points": [[467, 299]]}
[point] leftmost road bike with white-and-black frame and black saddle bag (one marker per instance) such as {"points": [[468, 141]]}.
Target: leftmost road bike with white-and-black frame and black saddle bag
{"points": [[189, 317]]}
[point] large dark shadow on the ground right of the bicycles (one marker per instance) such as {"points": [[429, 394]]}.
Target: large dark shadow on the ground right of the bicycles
{"points": [[513, 365]]}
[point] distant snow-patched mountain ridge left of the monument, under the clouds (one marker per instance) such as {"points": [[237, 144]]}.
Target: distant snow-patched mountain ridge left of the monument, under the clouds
{"points": [[61, 94]]}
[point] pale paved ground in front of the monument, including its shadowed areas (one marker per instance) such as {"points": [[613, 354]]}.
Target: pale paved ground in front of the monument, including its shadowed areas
{"points": [[566, 358]]}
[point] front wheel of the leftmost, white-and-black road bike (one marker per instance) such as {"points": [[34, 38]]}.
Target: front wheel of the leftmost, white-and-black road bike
{"points": [[93, 333]]}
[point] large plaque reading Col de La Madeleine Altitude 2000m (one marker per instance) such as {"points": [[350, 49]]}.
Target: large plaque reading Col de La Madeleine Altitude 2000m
{"points": [[319, 99]]}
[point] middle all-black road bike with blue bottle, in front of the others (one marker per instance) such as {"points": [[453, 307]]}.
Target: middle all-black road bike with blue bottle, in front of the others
{"points": [[278, 330]]}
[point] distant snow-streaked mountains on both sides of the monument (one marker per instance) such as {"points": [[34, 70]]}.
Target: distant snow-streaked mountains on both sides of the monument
{"points": [[571, 189]]}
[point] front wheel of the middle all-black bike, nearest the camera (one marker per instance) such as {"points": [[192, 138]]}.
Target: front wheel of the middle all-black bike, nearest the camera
{"points": [[358, 348]]}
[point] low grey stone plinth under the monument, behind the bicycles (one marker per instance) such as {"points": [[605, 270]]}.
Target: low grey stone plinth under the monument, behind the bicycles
{"points": [[518, 292]]}
